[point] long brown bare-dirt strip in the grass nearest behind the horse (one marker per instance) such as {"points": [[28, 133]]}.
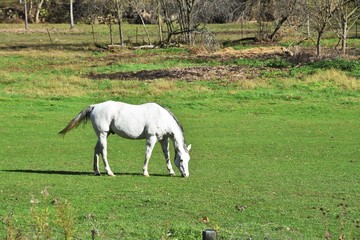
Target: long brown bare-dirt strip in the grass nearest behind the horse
{"points": [[187, 74]]}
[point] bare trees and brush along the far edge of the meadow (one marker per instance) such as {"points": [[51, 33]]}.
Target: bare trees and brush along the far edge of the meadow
{"points": [[184, 21]]}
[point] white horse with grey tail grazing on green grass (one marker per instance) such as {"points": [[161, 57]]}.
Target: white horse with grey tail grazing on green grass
{"points": [[148, 121]]}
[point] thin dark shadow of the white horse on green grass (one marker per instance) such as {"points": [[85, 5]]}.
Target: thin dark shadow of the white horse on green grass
{"points": [[77, 173]]}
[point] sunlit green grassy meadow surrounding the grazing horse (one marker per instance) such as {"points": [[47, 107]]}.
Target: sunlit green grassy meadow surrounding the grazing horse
{"points": [[275, 146]]}
